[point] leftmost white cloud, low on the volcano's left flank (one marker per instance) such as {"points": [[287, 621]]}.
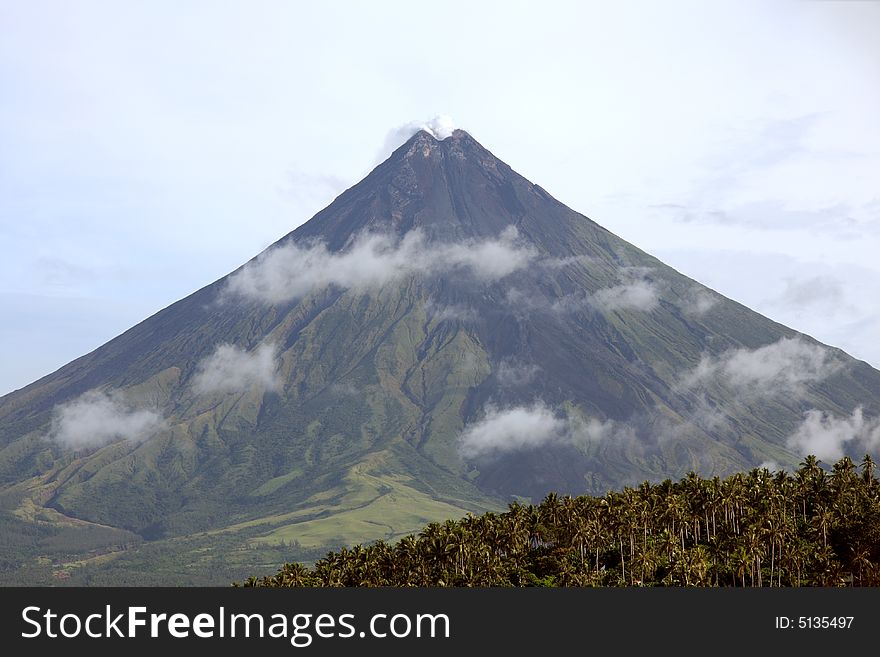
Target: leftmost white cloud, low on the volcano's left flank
{"points": [[97, 418]]}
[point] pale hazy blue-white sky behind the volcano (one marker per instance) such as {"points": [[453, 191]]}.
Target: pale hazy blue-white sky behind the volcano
{"points": [[149, 148]]}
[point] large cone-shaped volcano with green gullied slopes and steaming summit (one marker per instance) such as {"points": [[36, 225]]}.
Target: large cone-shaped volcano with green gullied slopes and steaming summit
{"points": [[445, 337]]}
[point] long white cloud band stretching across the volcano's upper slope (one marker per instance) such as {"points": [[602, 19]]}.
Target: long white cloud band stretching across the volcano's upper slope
{"points": [[292, 271]]}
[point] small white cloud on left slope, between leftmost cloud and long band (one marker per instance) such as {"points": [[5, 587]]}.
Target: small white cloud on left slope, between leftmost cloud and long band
{"points": [[230, 369]]}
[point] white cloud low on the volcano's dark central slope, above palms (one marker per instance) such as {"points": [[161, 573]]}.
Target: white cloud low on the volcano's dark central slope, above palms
{"points": [[520, 428]]}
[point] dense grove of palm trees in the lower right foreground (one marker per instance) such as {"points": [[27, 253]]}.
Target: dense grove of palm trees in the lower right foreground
{"points": [[814, 527]]}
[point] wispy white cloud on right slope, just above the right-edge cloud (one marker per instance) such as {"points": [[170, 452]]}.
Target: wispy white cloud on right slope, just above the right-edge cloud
{"points": [[780, 367]]}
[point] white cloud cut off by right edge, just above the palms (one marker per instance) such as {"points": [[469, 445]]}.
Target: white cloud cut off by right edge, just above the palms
{"points": [[826, 436]]}
